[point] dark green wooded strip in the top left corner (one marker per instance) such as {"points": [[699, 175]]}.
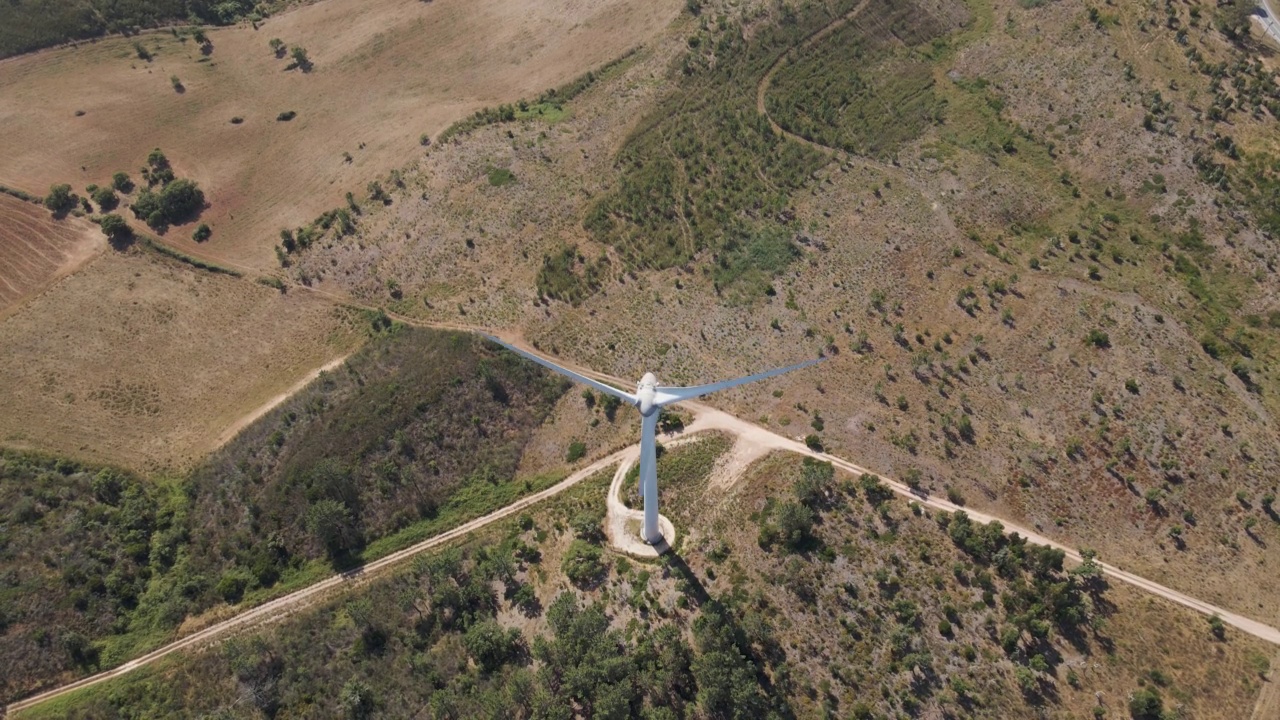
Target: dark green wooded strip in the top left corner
{"points": [[31, 25]]}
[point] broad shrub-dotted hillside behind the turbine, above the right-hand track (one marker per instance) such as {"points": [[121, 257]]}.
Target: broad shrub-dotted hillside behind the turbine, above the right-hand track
{"points": [[1053, 294]]}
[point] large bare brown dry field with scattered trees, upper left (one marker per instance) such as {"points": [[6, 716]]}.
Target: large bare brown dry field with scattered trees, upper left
{"points": [[385, 74]]}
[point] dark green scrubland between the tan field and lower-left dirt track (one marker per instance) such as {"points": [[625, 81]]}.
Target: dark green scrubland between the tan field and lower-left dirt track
{"points": [[419, 432]]}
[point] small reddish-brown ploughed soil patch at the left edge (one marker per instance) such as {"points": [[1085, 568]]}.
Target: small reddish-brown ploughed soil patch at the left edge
{"points": [[36, 250]]}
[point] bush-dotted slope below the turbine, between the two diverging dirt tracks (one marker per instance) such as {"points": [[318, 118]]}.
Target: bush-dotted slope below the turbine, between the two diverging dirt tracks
{"points": [[852, 625]]}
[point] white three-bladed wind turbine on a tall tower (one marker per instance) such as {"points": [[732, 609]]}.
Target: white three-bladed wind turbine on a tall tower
{"points": [[651, 399]]}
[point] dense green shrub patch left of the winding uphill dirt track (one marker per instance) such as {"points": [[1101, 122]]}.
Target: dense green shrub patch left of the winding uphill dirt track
{"points": [[705, 170]]}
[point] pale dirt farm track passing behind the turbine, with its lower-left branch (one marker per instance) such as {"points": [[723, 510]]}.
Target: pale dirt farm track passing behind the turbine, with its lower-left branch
{"points": [[752, 441]]}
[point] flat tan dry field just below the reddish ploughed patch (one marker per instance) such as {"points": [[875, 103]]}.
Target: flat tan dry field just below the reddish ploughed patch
{"points": [[144, 362]]}
